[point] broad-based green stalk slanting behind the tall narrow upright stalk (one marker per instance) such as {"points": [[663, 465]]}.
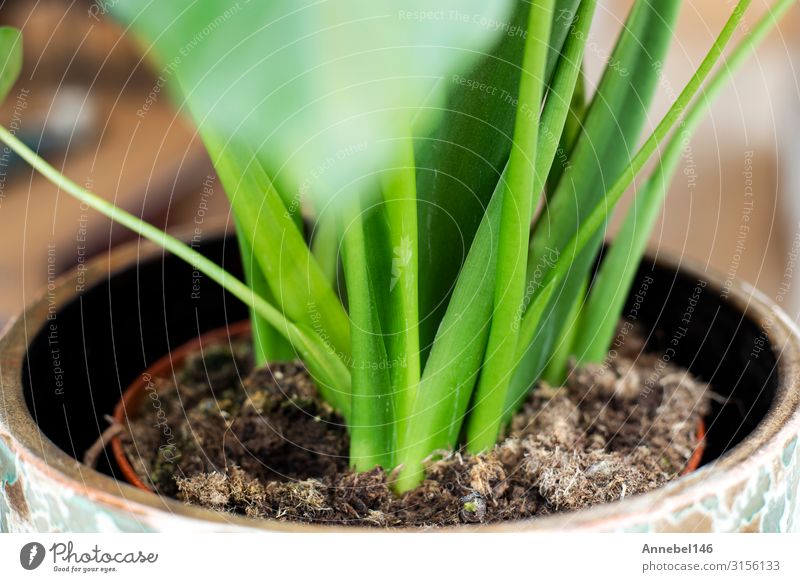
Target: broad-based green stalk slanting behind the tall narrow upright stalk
{"points": [[449, 375]]}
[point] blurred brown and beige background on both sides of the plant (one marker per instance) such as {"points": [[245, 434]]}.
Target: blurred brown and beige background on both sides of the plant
{"points": [[91, 106]]}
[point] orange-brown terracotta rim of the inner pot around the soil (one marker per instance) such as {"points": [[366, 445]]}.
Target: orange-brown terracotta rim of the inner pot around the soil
{"points": [[134, 396]]}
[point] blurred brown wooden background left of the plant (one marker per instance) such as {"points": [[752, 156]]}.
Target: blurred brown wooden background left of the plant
{"points": [[149, 162]]}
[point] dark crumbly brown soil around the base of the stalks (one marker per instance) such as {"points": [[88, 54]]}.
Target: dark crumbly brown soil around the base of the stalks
{"points": [[267, 447]]}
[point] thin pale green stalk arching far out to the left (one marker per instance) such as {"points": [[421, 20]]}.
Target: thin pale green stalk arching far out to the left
{"points": [[332, 377]]}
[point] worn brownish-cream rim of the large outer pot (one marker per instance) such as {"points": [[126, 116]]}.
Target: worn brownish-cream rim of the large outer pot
{"points": [[780, 424]]}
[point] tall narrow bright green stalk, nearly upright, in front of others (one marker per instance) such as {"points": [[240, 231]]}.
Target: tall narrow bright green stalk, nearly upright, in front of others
{"points": [[483, 424]]}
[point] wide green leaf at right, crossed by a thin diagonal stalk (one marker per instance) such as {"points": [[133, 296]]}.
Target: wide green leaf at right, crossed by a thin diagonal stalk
{"points": [[611, 130]]}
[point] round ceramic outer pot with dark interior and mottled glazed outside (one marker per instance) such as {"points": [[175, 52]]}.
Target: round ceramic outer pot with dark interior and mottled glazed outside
{"points": [[66, 360]]}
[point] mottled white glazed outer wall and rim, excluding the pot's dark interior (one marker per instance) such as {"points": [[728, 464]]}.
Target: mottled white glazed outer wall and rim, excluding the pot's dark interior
{"points": [[752, 487]]}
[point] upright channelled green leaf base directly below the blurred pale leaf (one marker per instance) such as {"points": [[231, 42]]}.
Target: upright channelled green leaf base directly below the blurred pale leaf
{"points": [[380, 264]]}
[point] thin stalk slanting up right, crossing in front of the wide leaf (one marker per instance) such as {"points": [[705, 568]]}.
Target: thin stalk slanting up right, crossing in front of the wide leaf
{"points": [[600, 211]]}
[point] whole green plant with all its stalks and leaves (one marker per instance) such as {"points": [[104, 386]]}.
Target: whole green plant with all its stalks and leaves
{"points": [[452, 304]]}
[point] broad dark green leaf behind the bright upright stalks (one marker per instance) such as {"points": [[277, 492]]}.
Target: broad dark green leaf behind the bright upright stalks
{"points": [[460, 162]]}
